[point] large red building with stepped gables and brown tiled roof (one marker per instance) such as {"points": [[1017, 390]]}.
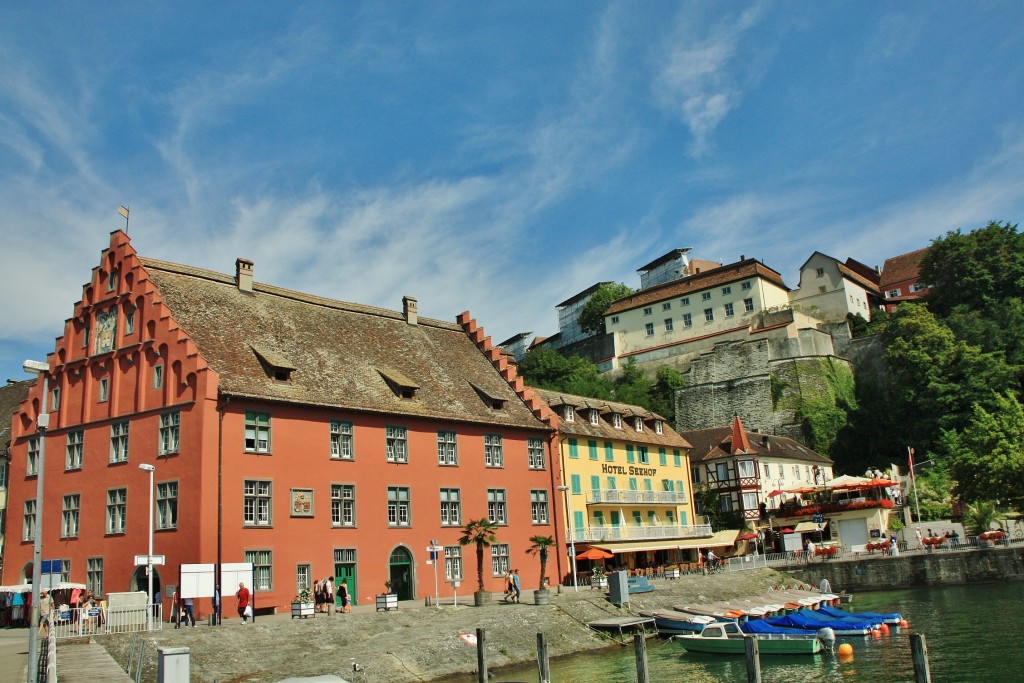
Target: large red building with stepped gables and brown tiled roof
{"points": [[309, 437]]}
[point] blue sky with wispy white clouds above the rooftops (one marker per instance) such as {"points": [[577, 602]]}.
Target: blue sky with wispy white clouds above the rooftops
{"points": [[492, 157]]}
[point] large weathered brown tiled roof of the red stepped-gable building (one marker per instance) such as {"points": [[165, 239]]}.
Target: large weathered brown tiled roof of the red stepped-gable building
{"points": [[339, 351]]}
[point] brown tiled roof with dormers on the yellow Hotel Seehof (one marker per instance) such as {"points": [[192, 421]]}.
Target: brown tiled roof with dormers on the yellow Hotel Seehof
{"points": [[581, 426]]}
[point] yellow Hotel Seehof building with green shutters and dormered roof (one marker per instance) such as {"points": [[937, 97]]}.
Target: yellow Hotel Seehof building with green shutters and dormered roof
{"points": [[627, 483]]}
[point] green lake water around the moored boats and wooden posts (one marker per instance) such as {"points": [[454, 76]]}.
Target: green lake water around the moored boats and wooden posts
{"points": [[974, 634]]}
